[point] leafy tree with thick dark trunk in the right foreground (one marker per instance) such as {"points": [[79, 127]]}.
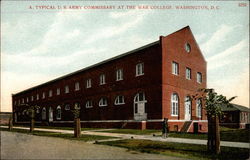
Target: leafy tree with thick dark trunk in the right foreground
{"points": [[213, 104]]}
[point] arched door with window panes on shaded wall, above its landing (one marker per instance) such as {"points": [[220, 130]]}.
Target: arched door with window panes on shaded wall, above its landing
{"points": [[139, 103]]}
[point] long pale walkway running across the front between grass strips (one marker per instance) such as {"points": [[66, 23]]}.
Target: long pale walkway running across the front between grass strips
{"points": [[147, 137]]}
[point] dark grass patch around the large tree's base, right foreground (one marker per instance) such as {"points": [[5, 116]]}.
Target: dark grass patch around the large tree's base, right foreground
{"points": [[191, 151]]}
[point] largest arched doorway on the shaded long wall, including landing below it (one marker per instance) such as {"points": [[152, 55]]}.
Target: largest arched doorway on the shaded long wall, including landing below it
{"points": [[139, 106]]}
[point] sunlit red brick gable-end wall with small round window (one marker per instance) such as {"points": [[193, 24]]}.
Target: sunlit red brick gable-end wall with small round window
{"points": [[173, 50]]}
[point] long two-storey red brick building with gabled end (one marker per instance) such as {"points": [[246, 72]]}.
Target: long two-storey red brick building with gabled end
{"points": [[134, 90]]}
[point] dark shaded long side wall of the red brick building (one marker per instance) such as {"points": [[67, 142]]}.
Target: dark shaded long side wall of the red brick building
{"points": [[129, 87]]}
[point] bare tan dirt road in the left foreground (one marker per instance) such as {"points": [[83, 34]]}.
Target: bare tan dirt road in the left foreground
{"points": [[23, 146]]}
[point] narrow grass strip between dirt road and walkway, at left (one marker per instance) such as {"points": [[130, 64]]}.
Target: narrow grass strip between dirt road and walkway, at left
{"points": [[59, 135]]}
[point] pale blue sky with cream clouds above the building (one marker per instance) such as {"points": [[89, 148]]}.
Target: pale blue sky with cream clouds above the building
{"points": [[39, 44]]}
